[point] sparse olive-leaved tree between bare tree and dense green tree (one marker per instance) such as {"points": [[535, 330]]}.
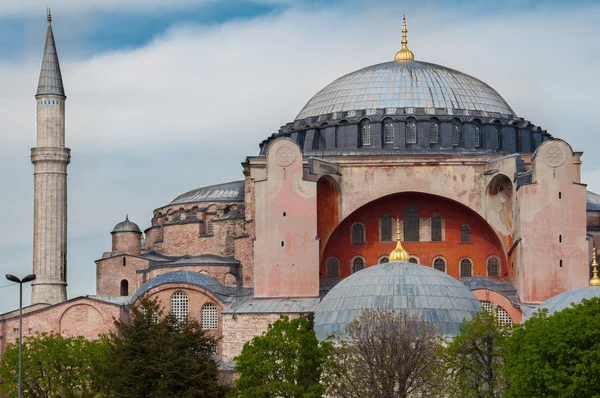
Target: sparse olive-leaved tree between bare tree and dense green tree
{"points": [[476, 359]]}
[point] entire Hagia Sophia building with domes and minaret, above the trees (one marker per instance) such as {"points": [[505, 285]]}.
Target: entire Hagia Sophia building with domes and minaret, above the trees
{"points": [[405, 184]]}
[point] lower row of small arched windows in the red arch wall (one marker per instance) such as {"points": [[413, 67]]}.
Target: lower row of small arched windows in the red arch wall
{"points": [[465, 265]]}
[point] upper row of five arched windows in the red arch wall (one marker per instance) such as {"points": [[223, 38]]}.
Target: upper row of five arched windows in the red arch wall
{"points": [[411, 228]]}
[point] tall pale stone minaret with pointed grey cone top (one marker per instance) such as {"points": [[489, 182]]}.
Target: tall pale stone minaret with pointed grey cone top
{"points": [[50, 159]]}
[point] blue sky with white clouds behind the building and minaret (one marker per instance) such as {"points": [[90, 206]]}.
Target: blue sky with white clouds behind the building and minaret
{"points": [[168, 96]]}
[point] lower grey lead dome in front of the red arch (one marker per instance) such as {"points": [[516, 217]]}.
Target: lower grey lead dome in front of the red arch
{"points": [[402, 286]]}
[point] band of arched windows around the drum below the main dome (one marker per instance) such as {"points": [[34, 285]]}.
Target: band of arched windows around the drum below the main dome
{"points": [[495, 138]]}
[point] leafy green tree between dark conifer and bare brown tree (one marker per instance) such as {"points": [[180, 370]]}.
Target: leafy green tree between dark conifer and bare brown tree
{"points": [[285, 361]]}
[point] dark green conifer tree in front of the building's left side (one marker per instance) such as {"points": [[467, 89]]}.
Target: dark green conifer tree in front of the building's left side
{"points": [[156, 355]]}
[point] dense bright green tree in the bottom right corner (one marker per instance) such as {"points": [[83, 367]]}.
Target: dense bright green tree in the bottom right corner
{"points": [[557, 355]]}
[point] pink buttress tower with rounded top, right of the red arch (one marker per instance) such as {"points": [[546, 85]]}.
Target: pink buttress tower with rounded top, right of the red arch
{"points": [[553, 252]]}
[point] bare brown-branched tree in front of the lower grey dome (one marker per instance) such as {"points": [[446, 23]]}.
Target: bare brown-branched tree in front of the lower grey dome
{"points": [[384, 354]]}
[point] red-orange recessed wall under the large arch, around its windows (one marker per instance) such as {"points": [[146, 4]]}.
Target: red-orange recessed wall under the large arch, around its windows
{"points": [[484, 241]]}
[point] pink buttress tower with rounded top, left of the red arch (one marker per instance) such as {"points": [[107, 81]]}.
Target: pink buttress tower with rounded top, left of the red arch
{"points": [[286, 251]]}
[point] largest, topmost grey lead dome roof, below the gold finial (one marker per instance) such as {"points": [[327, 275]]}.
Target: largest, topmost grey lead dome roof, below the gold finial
{"points": [[412, 84]]}
